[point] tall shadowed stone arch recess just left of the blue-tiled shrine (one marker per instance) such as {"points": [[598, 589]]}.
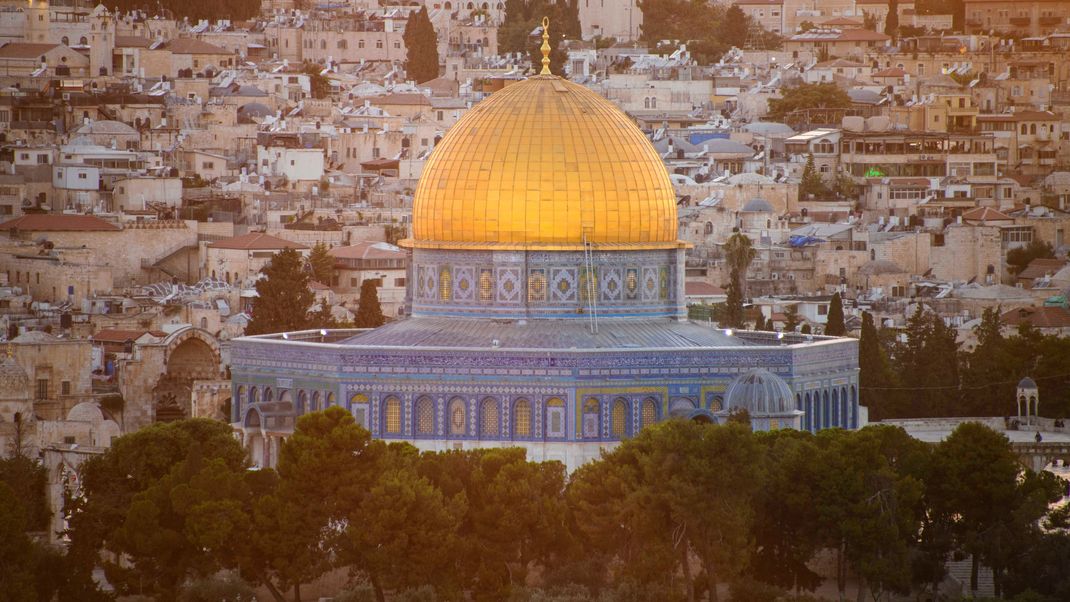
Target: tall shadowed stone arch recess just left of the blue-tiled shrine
{"points": [[192, 356]]}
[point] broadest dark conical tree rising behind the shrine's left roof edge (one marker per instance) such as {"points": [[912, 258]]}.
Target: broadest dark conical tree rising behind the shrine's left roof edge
{"points": [[283, 297]]}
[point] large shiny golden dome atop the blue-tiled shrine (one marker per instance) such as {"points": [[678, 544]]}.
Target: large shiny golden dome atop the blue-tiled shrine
{"points": [[539, 165]]}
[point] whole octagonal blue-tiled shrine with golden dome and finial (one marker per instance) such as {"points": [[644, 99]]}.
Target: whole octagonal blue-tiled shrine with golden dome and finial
{"points": [[545, 303]]}
